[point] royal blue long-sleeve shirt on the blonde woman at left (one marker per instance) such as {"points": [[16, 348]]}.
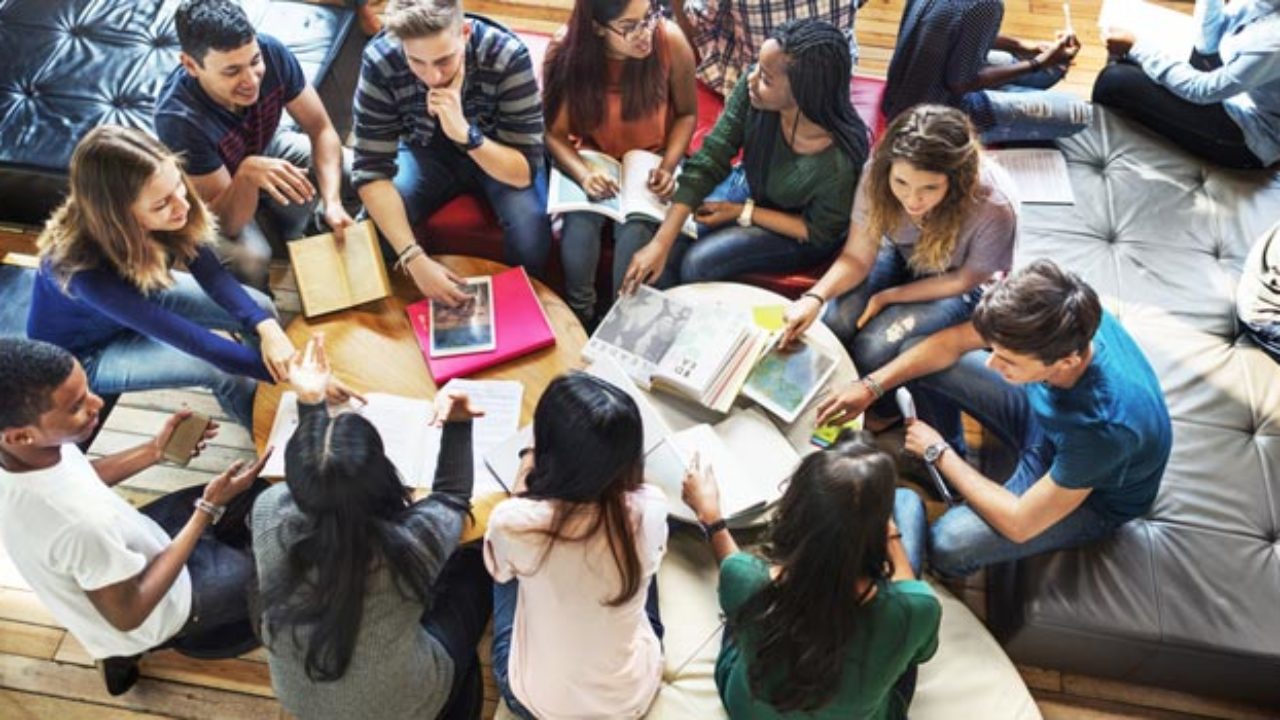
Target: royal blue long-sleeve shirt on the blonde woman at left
{"points": [[100, 306]]}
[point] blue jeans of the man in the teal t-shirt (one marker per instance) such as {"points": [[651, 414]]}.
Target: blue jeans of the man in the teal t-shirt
{"points": [[961, 541]]}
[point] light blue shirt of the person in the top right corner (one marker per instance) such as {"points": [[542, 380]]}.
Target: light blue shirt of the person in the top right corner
{"points": [[1247, 37]]}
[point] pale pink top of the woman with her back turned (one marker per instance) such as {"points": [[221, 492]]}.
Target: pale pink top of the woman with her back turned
{"points": [[572, 654]]}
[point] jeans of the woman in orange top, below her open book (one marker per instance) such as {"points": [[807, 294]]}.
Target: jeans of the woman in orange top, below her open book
{"points": [[580, 256]]}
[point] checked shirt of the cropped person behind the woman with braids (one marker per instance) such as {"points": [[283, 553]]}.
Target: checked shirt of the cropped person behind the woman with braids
{"points": [[730, 33]]}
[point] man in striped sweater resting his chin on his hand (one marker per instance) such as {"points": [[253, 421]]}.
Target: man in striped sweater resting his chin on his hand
{"points": [[449, 104]]}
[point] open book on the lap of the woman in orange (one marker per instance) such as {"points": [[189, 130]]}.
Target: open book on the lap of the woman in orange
{"points": [[634, 200]]}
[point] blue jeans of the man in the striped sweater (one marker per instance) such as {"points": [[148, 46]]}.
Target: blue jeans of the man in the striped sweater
{"points": [[429, 177]]}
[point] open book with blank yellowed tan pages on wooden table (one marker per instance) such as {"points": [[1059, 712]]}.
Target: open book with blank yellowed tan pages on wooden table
{"points": [[333, 277]]}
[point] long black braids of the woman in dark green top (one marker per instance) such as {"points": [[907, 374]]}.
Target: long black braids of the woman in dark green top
{"points": [[819, 72]]}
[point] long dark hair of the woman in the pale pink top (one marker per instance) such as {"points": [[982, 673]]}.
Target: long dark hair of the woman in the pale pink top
{"points": [[588, 454]]}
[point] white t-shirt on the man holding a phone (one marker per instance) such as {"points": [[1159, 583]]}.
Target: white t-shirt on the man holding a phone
{"points": [[68, 534]]}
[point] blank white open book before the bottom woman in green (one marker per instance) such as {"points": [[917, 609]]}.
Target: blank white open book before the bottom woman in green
{"points": [[746, 452]]}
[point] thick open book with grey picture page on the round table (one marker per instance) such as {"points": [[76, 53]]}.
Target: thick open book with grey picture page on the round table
{"points": [[701, 353]]}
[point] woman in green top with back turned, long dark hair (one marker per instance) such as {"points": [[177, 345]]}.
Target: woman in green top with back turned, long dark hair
{"points": [[830, 623]]}
